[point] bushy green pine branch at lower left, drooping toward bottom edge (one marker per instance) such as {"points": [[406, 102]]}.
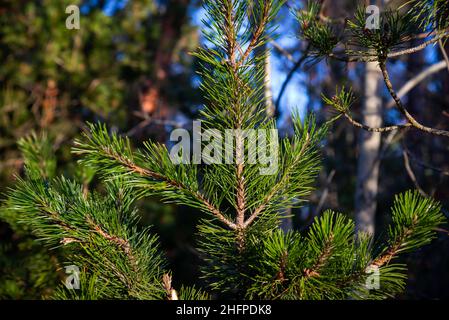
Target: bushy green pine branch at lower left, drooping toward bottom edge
{"points": [[101, 234]]}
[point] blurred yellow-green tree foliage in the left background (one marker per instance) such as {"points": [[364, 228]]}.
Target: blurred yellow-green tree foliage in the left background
{"points": [[53, 79]]}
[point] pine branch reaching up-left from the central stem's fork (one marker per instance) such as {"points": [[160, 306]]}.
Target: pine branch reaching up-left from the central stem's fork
{"points": [[117, 158]]}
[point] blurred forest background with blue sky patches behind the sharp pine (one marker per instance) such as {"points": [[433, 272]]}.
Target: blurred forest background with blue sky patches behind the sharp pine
{"points": [[129, 66]]}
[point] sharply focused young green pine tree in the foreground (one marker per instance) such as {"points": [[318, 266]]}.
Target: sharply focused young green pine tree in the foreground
{"points": [[245, 253]]}
